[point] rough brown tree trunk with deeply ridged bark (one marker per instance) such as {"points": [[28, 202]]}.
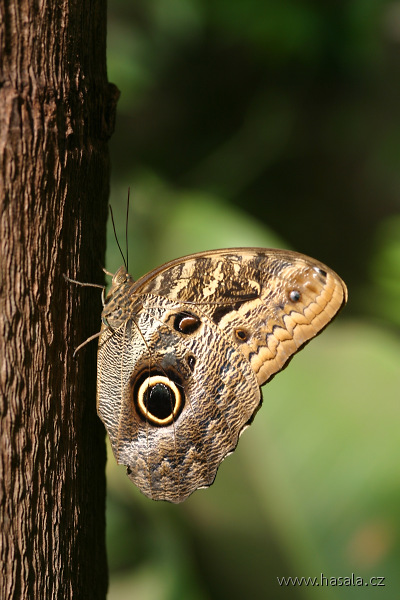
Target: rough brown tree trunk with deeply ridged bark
{"points": [[56, 115]]}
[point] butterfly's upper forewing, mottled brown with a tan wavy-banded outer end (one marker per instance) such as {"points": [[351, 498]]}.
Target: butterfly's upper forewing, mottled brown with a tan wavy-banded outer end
{"points": [[268, 302]]}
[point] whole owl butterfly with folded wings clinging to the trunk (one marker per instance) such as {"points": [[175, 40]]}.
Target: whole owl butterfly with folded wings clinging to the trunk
{"points": [[184, 350]]}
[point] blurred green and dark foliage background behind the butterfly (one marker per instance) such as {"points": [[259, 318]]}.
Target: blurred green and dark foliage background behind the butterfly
{"points": [[271, 123]]}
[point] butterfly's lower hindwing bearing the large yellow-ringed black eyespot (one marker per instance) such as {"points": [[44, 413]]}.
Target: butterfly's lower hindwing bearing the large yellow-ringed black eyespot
{"points": [[184, 403]]}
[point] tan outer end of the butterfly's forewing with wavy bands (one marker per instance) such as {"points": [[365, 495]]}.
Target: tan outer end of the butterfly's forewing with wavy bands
{"points": [[298, 300]]}
